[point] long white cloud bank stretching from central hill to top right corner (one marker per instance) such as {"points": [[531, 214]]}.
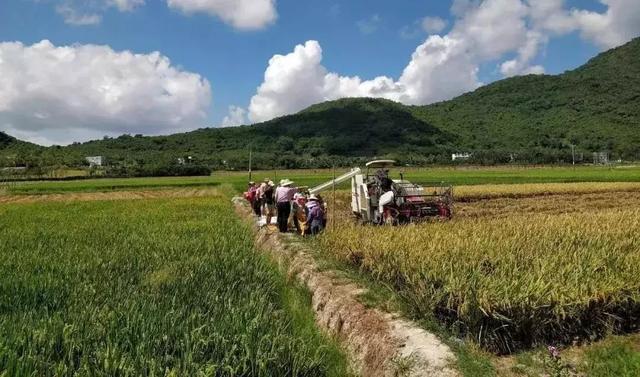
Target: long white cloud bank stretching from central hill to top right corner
{"points": [[445, 66]]}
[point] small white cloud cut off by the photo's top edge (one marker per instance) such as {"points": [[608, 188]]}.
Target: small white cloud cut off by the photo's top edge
{"points": [[242, 14]]}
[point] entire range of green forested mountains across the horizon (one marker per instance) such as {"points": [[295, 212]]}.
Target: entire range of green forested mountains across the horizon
{"points": [[533, 118]]}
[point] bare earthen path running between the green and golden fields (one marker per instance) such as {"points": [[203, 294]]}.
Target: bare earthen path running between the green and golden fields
{"points": [[378, 343]]}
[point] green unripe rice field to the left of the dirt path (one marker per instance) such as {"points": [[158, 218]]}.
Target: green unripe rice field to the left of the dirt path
{"points": [[148, 287]]}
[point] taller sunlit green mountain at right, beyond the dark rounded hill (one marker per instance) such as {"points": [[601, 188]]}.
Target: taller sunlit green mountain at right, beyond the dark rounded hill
{"points": [[595, 107]]}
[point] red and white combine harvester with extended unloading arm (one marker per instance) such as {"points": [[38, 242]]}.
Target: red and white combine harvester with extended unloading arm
{"points": [[378, 199]]}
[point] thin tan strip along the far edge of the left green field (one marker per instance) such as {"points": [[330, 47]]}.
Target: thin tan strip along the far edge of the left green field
{"points": [[112, 195]]}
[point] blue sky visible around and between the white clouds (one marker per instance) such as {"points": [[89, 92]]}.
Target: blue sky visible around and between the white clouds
{"points": [[364, 38]]}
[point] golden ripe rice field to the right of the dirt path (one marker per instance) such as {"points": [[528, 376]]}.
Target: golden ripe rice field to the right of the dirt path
{"points": [[560, 266]]}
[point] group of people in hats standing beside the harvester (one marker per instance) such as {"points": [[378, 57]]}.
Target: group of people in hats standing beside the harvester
{"points": [[289, 202]]}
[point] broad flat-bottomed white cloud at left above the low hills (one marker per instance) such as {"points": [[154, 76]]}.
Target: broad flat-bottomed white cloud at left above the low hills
{"points": [[62, 94]]}
